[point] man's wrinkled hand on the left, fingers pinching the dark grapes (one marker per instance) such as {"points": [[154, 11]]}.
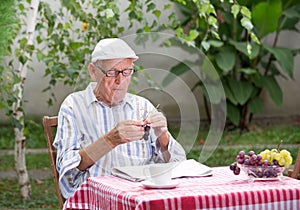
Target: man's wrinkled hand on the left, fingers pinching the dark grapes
{"points": [[125, 131]]}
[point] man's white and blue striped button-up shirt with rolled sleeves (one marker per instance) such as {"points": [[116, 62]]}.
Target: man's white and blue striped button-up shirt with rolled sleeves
{"points": [[82, 119]]}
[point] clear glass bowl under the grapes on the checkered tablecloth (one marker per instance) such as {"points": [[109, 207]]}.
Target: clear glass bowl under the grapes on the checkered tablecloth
{"points": [[265, 173]]}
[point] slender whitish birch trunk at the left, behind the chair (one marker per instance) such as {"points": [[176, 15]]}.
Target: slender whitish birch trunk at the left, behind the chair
{"points": [[18, 115]]}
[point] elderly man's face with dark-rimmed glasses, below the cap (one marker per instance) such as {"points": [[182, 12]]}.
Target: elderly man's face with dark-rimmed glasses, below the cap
{"points": [[112, 90]]}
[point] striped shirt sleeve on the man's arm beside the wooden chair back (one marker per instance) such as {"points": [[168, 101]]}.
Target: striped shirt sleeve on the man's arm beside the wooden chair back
{"points": [[67, 141]]}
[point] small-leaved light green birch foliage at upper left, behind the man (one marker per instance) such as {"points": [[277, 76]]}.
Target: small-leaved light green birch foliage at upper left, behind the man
{"points": [[64, 38]]}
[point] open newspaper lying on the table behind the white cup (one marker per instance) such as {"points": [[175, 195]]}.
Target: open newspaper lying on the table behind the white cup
{"points": [[186, 168]]}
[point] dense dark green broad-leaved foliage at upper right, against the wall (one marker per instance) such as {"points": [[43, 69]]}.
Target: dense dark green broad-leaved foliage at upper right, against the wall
{"points": [[233, 45]]}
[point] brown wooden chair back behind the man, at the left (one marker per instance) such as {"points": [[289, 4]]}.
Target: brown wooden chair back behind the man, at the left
{"points": [[50, 125]]}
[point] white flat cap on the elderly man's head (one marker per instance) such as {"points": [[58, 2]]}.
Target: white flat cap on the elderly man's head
{"points": [[112, 48]]}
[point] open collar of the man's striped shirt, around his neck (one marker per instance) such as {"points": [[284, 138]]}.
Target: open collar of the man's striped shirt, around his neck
{"points": [[90, 97]]}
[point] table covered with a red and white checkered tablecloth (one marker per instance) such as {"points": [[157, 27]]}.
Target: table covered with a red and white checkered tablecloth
{"points": [[223, 190]]}
